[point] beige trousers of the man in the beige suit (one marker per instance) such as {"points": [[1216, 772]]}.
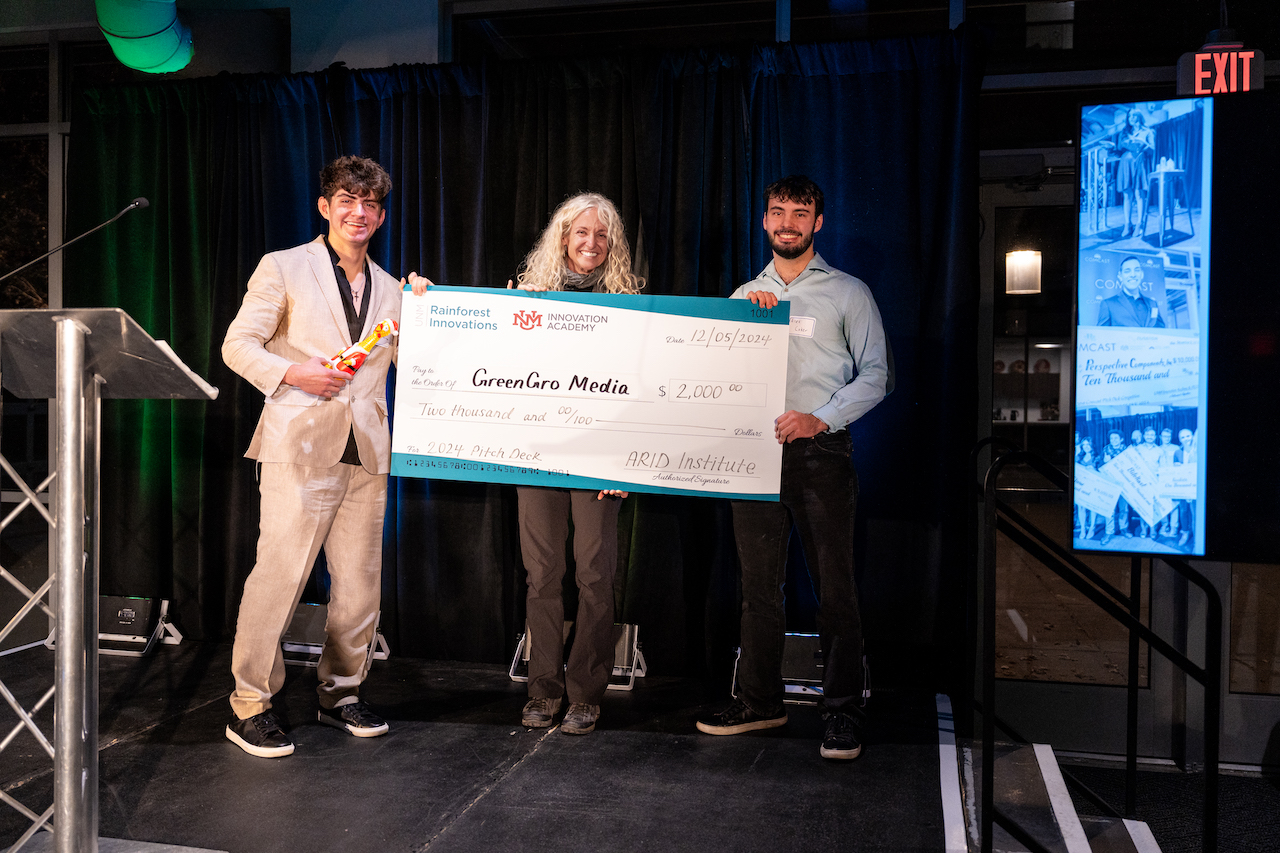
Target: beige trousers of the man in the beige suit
{"points": [[339, 508]]}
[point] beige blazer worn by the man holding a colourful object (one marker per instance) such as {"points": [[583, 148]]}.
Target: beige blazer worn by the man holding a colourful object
{"points": [[291, 313]]}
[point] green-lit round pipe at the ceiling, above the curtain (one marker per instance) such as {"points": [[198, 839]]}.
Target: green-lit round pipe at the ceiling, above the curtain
{"points": [[147, 35]]}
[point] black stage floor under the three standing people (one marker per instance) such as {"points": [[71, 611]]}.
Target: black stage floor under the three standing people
{"points": [[458, 773]]}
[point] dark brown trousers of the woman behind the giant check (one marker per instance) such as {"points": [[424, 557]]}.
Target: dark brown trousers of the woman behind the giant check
{"points": [[545, 517]]}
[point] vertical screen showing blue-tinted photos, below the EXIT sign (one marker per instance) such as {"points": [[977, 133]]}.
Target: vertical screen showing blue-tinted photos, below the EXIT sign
{"points": [[1142, 327]]}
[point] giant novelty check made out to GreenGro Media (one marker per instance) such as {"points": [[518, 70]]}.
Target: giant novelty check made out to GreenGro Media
{"points": [[646, 394]]}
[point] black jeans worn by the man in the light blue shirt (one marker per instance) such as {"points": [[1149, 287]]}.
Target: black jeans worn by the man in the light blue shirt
{"points": [[820, 496]]}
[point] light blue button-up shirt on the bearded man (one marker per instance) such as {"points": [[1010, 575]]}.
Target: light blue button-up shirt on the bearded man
{"points": [[839, 364]]}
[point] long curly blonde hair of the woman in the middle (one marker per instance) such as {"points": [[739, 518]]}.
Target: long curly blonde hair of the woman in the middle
{"points": [[546, 262]]}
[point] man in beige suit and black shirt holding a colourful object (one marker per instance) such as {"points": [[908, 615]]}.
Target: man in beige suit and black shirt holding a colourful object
{"points": [[324, 449]]}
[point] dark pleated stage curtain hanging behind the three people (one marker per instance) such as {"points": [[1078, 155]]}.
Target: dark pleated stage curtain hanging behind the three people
{"points": [[479, 156]]}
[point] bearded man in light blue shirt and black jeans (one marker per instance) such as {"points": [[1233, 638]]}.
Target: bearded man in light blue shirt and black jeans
{"points": [[839, 368]]}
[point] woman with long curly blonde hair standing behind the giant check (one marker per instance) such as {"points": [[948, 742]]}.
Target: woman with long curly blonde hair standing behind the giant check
{"points": [[583, 249]]}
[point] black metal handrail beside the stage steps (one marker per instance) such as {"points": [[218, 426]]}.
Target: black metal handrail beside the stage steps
{"points": [[998, 517]]}
